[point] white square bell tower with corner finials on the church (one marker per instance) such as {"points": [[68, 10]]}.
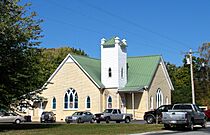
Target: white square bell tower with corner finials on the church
{"points": [[113, 62]]}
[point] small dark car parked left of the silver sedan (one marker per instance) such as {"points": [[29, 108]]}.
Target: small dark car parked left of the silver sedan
{"points": [[47, 117]]}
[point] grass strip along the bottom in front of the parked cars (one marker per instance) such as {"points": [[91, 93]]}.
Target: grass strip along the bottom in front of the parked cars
{"points": [[76, 129]]}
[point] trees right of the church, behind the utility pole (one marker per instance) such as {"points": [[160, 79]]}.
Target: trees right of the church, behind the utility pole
{"points": [[181, 80]]}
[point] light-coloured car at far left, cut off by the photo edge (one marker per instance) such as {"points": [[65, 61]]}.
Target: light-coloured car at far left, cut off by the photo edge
{"points": [[7, 117]]}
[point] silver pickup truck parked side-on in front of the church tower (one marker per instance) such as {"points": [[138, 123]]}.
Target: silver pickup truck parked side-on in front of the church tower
{"points": [[113, 115]]}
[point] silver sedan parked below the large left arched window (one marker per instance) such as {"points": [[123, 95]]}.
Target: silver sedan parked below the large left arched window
{"points": [[80, 117]]}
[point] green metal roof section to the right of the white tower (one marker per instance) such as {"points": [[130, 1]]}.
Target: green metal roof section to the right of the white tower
{"points": [[140, 72]]}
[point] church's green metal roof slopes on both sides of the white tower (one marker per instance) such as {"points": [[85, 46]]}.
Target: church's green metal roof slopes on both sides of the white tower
{"points": [[140, 70]]}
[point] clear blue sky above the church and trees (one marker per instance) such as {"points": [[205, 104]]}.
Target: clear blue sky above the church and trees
{"points": [[166, 27]]}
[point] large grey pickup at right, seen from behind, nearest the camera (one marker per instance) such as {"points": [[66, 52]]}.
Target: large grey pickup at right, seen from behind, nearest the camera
{"points": [[184, 115]]}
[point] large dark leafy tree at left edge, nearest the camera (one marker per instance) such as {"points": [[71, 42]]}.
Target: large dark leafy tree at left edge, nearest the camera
{"points": [[19, 35]]}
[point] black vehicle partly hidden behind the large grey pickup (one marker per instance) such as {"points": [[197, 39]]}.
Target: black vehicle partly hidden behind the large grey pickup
{"points": [[151, 116]]}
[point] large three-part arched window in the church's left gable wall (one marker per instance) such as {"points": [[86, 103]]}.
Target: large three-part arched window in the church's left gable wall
{"points": [[71, 99]]}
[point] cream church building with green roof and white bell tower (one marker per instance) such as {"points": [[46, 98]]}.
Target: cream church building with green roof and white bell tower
{"points": [[132, 84]]}
